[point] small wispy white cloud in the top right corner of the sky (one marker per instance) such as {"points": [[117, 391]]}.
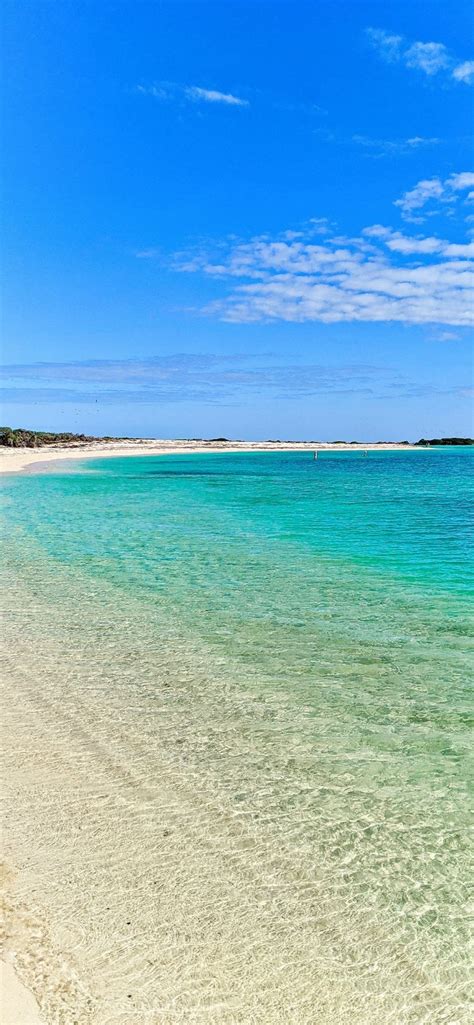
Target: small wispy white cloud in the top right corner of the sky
{"points": [[429, 58]]}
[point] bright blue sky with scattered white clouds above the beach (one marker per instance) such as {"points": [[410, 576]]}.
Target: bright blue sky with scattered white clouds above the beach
{"points": [[251, 220]]}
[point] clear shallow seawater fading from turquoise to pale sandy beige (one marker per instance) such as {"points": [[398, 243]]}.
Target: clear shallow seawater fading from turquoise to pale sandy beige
{"points": [[238, 720]]}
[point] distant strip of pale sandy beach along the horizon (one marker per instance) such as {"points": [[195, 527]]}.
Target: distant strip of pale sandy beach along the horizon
{"points": [[17, 460]]}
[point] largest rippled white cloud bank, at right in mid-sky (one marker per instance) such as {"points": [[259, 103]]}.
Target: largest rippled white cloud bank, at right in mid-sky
{"points": [[343, 280]]}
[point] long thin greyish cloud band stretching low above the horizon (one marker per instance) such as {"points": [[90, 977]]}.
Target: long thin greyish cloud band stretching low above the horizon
{"points": [[206, 379]]}
